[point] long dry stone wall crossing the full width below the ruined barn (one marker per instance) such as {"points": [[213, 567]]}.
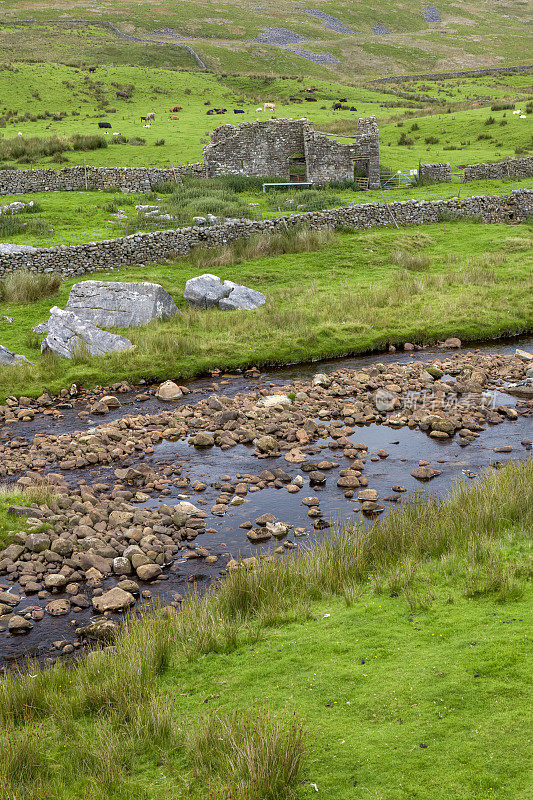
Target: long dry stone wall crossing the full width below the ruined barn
{"points": [[152, 247]]}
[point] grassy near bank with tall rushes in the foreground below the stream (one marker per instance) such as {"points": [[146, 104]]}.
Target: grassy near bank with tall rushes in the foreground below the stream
{"points": [[385, 663]]}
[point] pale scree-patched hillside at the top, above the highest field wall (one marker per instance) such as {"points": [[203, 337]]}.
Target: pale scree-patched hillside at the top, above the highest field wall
{"points": [[468, 36]]}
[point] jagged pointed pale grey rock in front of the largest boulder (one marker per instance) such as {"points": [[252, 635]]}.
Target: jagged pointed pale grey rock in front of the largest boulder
{"points": [[68, 334]]}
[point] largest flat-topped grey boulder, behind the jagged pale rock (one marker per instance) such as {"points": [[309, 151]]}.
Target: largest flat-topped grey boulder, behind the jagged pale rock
{"points": [[120, 305]]}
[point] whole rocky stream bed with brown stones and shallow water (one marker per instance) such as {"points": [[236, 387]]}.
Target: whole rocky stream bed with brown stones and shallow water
{"points": [[160, 490]]}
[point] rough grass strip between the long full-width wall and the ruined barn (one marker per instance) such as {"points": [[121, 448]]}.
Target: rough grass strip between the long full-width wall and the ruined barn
{"points": [[75, 217]]}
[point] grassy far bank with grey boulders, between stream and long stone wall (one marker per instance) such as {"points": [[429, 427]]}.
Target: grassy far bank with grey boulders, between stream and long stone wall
{"points": [[350, 293]]}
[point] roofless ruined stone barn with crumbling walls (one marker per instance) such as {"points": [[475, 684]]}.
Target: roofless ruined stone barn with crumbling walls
{"points": [[293, 151]]}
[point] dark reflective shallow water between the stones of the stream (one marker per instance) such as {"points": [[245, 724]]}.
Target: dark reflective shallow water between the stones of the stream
{"points": [[404, 446]]}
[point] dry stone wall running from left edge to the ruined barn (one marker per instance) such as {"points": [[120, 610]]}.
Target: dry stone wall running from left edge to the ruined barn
{"points": [[75, 179]]}
